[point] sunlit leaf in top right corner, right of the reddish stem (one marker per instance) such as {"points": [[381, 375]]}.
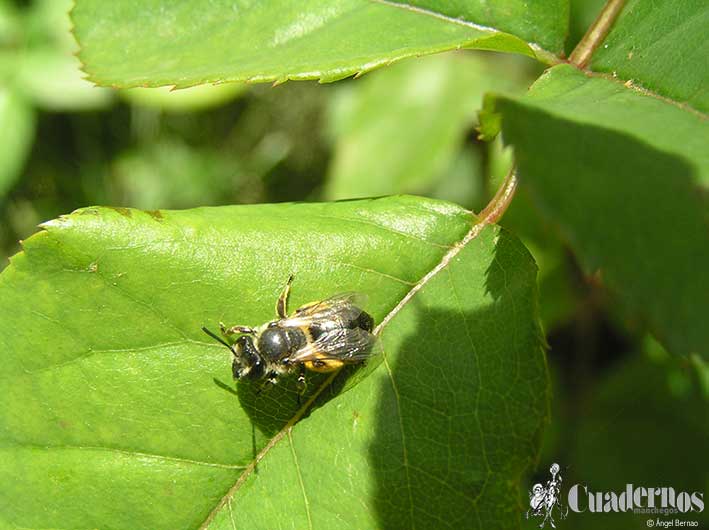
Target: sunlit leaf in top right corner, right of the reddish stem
{"points": [[661, 46]]}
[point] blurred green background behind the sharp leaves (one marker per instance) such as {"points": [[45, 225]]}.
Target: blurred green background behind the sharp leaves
{"points": [[621, 404]]}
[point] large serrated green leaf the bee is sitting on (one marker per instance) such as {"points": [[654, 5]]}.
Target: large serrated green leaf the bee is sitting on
{"points": [[117, 412]]}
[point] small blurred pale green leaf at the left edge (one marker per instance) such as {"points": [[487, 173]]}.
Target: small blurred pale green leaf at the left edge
{"points": [[17, 122]]}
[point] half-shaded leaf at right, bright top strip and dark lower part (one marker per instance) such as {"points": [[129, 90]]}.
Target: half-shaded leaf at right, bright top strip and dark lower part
{"points": [[624, 175]]}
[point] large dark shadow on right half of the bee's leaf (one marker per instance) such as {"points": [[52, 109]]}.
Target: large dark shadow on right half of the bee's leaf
{"points": [[460, 408]]}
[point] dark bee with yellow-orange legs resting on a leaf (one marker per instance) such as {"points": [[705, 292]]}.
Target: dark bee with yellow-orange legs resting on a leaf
{"points": [[320, 336]]}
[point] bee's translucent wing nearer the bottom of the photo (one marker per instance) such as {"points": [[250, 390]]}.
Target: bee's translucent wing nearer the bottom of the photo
{"points": [[343, 344]]}
